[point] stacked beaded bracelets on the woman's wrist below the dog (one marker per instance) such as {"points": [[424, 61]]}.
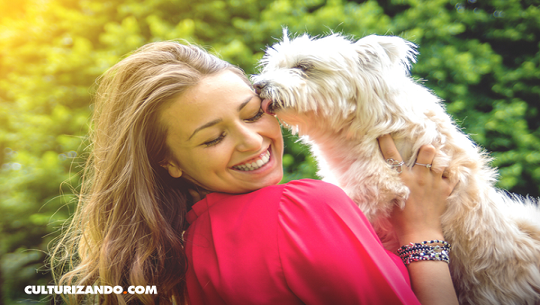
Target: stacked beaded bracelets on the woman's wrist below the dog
{"points": [[423, 251]]}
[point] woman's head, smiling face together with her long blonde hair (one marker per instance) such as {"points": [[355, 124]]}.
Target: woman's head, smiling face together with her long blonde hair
{"points": [[131, 215]]}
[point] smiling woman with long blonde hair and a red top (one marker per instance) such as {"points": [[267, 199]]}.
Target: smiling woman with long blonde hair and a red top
{"points": [[181, 144]]}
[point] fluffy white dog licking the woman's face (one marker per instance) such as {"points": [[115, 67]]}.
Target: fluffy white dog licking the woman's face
{"points": [[340, 95]]}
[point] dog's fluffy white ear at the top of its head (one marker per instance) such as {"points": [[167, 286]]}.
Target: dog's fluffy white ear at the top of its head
{"points": [[390, 50]]}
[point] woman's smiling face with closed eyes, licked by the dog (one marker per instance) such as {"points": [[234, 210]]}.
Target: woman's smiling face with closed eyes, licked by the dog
{"points": [[220, 138]]}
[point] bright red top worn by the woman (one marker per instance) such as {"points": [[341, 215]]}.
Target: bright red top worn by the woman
{"points": [[304, 242]]}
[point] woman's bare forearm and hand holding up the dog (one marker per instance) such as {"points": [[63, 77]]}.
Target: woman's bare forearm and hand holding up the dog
{"points": [[420, 221]]}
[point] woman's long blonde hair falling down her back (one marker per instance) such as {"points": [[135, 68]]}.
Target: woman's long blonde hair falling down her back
{"points": [[128, 225]]}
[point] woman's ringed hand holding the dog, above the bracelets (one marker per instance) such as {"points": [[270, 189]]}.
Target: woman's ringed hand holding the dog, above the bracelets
{"points": [[420, 219]]}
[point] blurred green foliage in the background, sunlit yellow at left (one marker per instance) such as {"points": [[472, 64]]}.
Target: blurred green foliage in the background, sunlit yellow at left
{"points": [[481, 57]]}
